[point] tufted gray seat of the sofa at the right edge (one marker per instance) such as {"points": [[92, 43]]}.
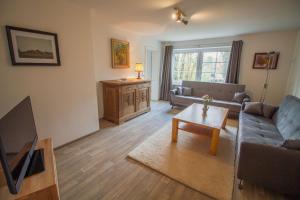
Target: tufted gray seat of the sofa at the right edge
{"points": [[260, 130]]}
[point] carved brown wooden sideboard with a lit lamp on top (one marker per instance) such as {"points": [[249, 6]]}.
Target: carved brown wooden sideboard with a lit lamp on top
{"points": [[125, 99]]}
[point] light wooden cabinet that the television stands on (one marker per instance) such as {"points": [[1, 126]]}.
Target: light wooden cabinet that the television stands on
{"points": [[39, 186]]}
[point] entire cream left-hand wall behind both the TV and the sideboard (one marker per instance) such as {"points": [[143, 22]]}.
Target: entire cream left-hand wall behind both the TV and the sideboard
{"points": [[65, 98]]}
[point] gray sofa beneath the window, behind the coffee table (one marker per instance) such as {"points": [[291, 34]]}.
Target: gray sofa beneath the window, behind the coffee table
{"points": [[222, 94]]}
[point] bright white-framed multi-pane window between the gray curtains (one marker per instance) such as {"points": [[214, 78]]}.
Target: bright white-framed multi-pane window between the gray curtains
{"points": [[202, 64]]}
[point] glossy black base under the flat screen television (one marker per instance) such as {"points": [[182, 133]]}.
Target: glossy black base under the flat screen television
{"points": [[36, 164]]}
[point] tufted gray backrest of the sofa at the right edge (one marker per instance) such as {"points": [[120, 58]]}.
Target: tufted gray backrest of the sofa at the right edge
{"points": [[287, 118]]}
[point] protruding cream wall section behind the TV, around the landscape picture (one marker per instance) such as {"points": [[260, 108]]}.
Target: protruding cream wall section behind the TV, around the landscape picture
{"points": [[64, 98]]}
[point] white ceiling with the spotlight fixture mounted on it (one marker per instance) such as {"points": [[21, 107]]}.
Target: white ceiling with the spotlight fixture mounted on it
{"points": [[207, 18]]}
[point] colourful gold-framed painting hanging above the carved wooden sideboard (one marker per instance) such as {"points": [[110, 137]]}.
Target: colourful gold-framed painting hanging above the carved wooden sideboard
{"points": [[119, 53]]}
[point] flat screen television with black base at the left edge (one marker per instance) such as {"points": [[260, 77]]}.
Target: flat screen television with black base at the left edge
{"points": [[18, 138]]}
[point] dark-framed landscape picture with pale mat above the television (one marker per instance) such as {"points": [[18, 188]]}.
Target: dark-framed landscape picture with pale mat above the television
{"points": [[32, 47]]}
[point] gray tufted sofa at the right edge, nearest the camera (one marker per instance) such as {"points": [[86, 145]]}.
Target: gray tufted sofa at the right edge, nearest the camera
{"points": [[269, 148]]}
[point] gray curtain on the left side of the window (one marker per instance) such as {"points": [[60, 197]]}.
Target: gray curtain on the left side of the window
{"points": [[166, 80]]}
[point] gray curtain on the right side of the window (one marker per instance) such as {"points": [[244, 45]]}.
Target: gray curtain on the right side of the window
{"points": [[234, 62]]}
